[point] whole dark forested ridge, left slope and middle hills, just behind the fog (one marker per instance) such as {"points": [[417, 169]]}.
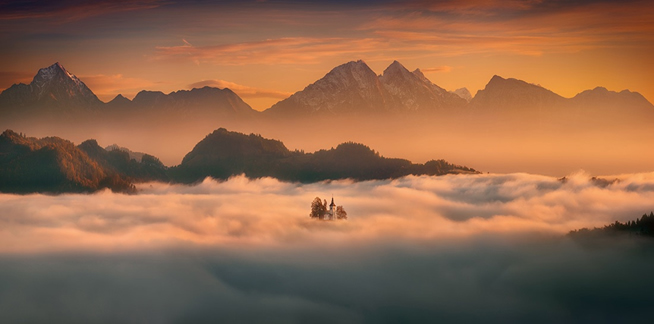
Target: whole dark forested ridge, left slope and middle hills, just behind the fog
{"points": [[55, 165]]}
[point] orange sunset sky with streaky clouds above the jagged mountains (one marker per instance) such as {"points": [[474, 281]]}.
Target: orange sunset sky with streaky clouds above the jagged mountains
{"points": [[267, 50]]}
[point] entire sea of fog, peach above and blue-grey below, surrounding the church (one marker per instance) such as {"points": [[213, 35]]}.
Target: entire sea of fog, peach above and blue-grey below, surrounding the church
{"points": [[462, 248]]}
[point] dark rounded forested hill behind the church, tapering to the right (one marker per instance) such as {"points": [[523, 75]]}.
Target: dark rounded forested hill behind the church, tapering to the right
{"points": [[222, 154]]}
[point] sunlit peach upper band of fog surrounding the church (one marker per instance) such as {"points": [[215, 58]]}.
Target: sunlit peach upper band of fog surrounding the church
{"points": [[266, 212]]}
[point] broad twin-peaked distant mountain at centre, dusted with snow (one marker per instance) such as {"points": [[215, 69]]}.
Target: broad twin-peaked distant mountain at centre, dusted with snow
{"points": [[354, 88]]}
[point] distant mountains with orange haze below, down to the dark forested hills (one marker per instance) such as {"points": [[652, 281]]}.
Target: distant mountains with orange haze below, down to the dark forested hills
{"points": [[399, 112]]}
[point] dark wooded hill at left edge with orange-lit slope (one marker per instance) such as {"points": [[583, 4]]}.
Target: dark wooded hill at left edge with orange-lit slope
{"points": [[56, 165]]}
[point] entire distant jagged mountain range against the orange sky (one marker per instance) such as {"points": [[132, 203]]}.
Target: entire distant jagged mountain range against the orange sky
{"points": [[348, 89]]}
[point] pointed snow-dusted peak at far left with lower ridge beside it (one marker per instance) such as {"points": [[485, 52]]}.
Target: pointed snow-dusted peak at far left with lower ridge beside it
{"points": [[54, 90]]}
